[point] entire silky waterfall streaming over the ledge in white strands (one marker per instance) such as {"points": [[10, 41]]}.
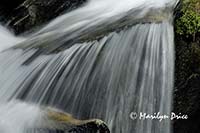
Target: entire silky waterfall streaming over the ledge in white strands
{"points": [[104, 60]]}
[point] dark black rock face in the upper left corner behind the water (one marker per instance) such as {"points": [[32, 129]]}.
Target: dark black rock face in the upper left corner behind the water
{"points": [[24, 16]]}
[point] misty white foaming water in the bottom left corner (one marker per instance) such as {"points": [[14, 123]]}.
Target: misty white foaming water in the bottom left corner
{"points": [[12, 116]]}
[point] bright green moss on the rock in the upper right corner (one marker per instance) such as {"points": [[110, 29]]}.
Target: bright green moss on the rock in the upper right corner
{"points": [[188, 24]]}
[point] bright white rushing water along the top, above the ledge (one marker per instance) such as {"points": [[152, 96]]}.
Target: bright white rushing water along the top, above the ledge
{"points": [[99, 12]]}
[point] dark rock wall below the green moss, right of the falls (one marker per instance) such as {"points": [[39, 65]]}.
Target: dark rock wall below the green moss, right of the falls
{"points": [[187, 85]]}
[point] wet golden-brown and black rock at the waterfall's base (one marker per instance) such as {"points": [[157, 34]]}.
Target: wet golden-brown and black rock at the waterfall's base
{"points": [[73, 125]]}
